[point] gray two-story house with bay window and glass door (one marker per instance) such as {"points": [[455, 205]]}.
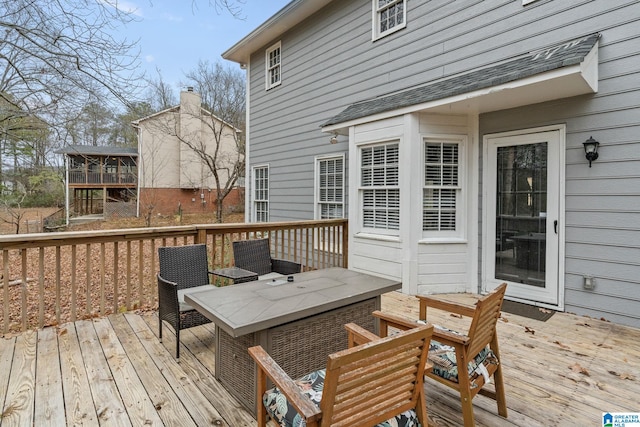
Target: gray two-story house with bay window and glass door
{"points": [[457, 131]]}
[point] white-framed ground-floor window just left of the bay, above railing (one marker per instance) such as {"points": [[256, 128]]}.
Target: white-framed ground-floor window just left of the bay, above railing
{"points": [[330, 187]]}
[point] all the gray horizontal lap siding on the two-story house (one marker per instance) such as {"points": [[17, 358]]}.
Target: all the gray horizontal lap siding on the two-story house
{"points": [[330, 62]]}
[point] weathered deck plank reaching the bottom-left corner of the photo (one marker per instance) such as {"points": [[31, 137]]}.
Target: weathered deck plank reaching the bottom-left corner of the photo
{"points": [[19, 403]]}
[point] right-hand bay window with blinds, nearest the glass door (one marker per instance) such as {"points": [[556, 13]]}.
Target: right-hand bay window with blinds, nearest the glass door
{"points": [[442, 204]]}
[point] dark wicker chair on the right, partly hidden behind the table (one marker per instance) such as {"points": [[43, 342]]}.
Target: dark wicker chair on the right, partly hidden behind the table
{"points": [[255, 255]]}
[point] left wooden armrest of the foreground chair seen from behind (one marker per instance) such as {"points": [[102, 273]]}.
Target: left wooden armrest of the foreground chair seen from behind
{"points": [[303, 405]]}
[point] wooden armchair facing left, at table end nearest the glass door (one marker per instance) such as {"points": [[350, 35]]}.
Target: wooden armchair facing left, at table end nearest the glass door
{"points": [[464, 362]]}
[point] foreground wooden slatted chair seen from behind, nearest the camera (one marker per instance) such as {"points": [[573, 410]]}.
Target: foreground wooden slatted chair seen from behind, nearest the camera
{"points": [[365, 385]]}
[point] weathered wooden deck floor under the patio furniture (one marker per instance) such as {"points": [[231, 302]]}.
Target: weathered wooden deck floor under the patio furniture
{"points": [[113, 371]]}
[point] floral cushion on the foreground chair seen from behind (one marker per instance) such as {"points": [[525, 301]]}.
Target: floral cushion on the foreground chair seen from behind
{"points": [[312, 384]]}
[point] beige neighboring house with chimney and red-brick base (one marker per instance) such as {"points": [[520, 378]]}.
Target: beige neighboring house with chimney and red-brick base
{"points": [[174, 147]]}
